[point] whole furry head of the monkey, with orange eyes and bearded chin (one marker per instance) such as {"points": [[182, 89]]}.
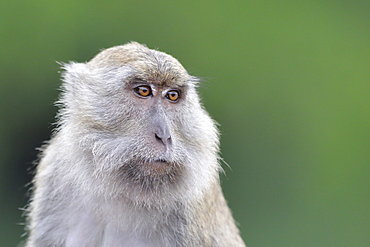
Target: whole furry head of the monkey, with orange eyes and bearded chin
{"points": [[137, 116]]}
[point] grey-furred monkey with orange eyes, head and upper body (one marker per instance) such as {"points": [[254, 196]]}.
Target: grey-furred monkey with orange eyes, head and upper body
{"points": [[133, 161]]}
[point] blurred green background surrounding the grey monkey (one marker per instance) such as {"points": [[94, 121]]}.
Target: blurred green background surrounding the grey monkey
{"points": [[288, 81]]}
